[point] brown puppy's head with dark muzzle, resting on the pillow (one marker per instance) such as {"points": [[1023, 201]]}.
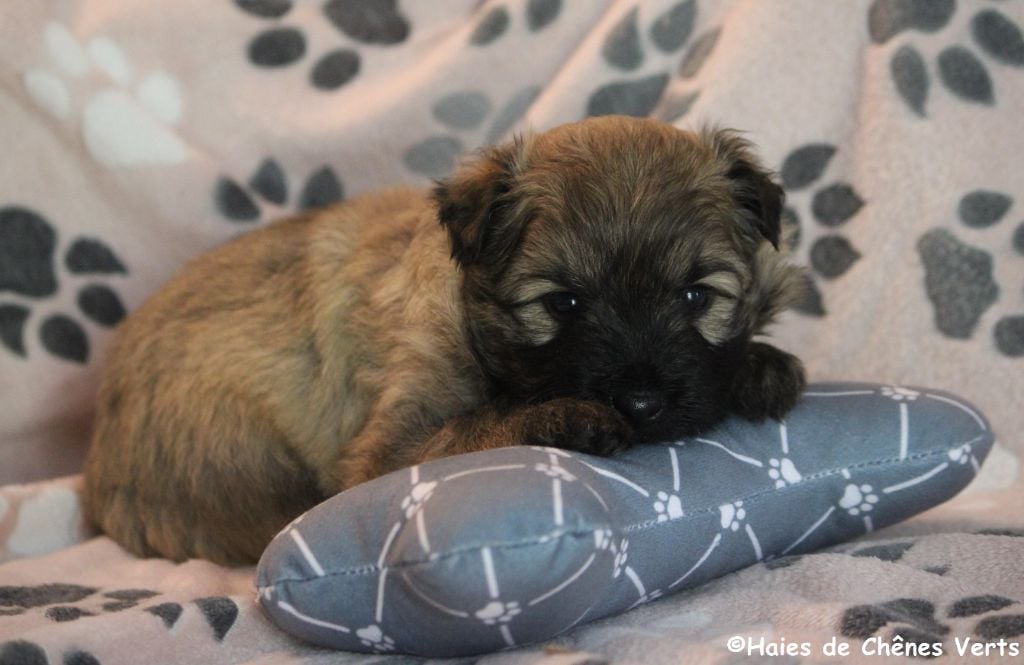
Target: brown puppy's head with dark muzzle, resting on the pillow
{"points": [[620, 261]]}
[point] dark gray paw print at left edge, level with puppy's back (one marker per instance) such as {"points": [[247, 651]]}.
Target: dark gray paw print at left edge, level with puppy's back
{"points": [[29, 245]]}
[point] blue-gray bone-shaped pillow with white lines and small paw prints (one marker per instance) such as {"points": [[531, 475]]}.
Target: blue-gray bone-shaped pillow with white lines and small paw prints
{"points": [[489, 551]]}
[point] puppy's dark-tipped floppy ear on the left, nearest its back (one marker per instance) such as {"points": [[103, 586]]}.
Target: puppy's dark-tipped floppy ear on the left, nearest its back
{"points": [[475, 204]]}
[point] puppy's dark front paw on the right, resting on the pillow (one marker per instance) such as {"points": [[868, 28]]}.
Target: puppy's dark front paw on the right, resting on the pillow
{"points": [[769, 384]]}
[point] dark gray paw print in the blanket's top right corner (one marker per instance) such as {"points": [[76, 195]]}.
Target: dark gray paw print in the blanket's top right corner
{"points": [[960, 70]]}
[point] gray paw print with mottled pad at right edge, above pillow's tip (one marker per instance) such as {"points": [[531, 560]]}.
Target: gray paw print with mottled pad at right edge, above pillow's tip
{"points": [[960, 278]]}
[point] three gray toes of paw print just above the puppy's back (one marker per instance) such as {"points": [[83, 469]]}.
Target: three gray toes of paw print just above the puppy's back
{"points": [[270, 185]]}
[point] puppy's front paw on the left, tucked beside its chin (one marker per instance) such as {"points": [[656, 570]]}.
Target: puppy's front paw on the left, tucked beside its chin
{"points": [[574, 425]]}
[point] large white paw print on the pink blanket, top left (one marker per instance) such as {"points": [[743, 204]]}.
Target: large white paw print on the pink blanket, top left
{"points": [[124, 124]]}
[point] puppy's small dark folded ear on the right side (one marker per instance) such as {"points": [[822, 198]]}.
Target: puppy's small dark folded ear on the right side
{"points": [[756, 192]]}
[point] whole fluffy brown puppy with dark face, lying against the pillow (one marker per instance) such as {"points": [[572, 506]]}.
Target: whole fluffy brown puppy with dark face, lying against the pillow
{"points": [[589, 287]]}
